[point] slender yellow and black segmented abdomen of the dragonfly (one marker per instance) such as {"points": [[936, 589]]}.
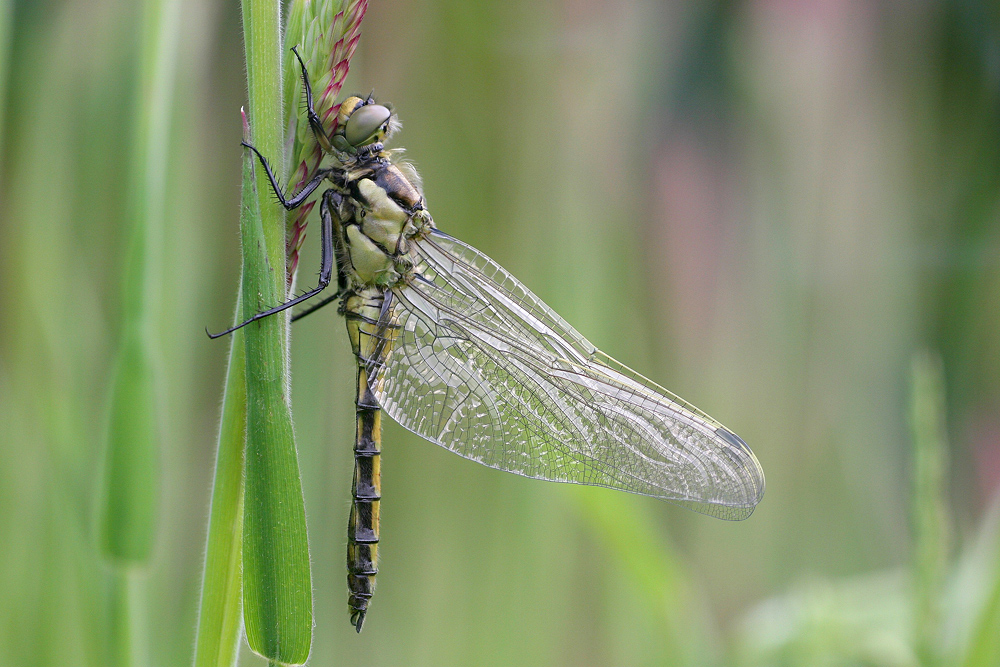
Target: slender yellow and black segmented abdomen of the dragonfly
{"points": [[372, 334]]}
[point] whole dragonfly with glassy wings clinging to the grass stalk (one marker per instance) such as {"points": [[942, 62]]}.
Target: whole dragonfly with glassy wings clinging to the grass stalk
{"points": [[457, 350]]}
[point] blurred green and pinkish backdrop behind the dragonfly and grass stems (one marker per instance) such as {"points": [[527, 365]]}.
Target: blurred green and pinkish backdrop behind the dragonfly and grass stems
{"points": [[767, 206]]}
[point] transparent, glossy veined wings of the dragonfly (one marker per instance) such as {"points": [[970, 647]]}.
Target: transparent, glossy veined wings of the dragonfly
{"points": [[482, 367]]}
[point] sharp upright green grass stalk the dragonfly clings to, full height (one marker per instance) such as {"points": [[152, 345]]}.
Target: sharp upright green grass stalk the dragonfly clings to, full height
{"points": [[277, 587]]}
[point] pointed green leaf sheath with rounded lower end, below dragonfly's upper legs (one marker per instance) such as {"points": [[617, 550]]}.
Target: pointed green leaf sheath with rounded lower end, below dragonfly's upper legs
{"points": [[277, 589]]}
